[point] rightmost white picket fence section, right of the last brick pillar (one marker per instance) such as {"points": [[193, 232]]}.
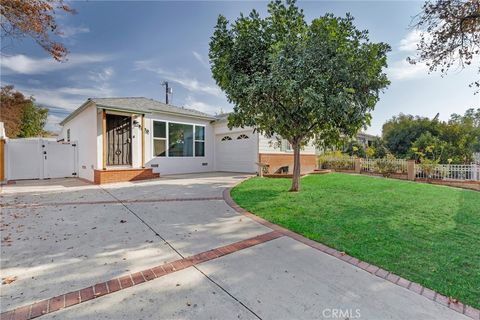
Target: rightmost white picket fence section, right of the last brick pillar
{"points": [[462, 172]]}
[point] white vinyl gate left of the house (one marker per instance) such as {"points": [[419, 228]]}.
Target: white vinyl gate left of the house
{"points": [[40, 159]]}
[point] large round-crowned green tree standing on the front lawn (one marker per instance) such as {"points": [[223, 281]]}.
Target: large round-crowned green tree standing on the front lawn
{"points": [[298, 80]]}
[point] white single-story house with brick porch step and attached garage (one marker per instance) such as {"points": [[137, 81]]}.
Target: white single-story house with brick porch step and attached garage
{"points": [[121, 139]]}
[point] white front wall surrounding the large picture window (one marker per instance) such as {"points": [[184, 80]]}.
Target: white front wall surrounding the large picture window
{"points": [[172, 165]]}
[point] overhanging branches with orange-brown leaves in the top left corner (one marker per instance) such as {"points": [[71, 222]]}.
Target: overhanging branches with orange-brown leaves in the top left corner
{"points": [[34, 19]]}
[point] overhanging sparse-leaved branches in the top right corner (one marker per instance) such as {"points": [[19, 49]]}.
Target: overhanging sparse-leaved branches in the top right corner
{"points": [[450, 34]]}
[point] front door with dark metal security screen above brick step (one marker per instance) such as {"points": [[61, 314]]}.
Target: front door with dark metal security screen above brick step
{"points": [[119, 140]]}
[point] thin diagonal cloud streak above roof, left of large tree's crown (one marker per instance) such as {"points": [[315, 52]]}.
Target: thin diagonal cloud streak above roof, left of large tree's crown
{"points": [[189, 83]]}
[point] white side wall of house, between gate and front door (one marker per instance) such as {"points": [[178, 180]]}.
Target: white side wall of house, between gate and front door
{"points": [[83, 130]]}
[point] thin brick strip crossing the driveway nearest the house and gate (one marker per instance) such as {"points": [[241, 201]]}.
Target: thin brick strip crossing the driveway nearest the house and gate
{"points": [[74, 203]]}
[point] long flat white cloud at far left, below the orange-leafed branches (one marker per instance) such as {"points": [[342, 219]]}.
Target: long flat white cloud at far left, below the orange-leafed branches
{"points": [[28, 65]]}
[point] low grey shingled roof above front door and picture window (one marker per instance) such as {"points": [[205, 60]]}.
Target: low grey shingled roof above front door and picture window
{"points": [[139, 105]]}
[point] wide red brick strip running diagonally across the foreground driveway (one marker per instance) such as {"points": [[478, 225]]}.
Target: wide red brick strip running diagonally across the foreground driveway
{"points": [[63, 301]]}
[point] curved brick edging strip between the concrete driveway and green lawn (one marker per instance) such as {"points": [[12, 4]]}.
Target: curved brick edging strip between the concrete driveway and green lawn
{"points": [[455, 305]]}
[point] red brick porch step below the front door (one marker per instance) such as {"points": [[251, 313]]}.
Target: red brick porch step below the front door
{"points": [[122, 175]]}
